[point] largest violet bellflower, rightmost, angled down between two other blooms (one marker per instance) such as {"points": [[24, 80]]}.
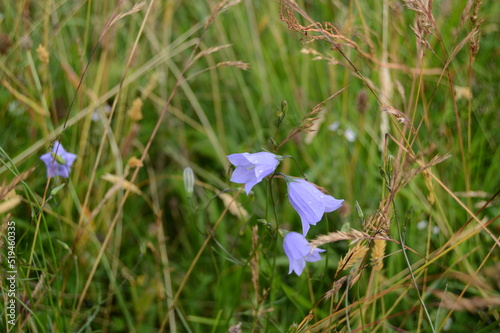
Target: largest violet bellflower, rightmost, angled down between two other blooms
{"points": [[309, 202]]}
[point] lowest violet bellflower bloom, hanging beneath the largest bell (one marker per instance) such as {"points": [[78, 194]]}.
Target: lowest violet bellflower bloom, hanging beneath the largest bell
{"points": [[298, 251]]}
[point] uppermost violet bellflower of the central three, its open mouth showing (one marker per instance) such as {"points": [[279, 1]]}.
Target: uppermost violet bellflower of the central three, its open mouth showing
{"points": [[252, 168]]}
